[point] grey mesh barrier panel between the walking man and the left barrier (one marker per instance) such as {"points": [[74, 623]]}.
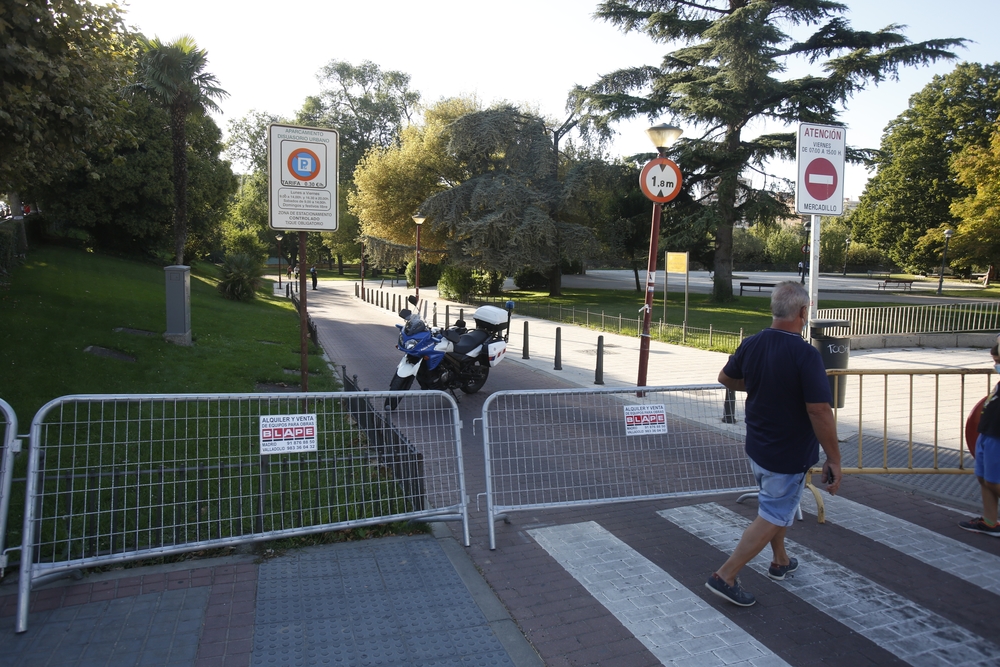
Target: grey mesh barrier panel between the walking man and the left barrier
{"points": [[594, 446]]}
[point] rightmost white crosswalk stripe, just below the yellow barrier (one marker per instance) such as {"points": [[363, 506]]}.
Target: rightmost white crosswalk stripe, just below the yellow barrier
{"points": [[956, 558]]}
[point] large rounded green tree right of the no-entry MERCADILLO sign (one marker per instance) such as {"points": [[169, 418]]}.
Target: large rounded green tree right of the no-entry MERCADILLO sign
{"points": [[915, 186]]}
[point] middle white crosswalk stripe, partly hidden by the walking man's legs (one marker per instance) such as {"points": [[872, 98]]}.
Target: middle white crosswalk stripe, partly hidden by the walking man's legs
{"points": [[904, 628]]}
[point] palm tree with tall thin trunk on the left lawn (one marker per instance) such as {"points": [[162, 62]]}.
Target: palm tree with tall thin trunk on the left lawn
{"points": [[174, 77]]}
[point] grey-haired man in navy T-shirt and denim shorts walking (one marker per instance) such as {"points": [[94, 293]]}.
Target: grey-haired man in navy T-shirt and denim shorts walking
{"points": [[788, 417]]}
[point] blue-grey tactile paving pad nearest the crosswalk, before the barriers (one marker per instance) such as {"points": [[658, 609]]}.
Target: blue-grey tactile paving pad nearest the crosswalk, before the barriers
{"points": [[391, 601]]}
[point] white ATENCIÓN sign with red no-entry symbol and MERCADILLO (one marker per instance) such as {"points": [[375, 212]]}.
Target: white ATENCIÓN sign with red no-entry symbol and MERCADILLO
{"points": [[819, 189]]}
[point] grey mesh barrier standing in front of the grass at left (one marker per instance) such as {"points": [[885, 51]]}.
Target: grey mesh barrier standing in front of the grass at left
{"points": [[118, 478]]}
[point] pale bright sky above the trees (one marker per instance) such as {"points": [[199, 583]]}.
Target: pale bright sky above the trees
{"points": [[531, 52]]}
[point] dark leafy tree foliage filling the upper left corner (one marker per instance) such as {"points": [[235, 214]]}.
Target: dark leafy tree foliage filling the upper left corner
{"points": [[61, 64]]}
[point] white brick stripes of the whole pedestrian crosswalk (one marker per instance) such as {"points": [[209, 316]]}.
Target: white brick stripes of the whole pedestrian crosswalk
{"points": [[678, 626]]}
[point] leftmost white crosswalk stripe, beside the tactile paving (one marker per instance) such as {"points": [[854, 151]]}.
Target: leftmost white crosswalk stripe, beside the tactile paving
{"points": [[671, 621]]}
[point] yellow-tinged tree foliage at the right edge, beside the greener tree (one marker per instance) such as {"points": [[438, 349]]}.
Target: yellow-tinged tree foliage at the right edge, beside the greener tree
{"points": [[977, 243]]}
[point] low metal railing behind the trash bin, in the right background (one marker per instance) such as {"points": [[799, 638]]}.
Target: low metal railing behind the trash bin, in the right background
{"points": [[938, 318]]}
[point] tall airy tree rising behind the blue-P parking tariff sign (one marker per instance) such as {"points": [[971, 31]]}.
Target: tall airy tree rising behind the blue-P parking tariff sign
{"points": [[368, 107]]}
